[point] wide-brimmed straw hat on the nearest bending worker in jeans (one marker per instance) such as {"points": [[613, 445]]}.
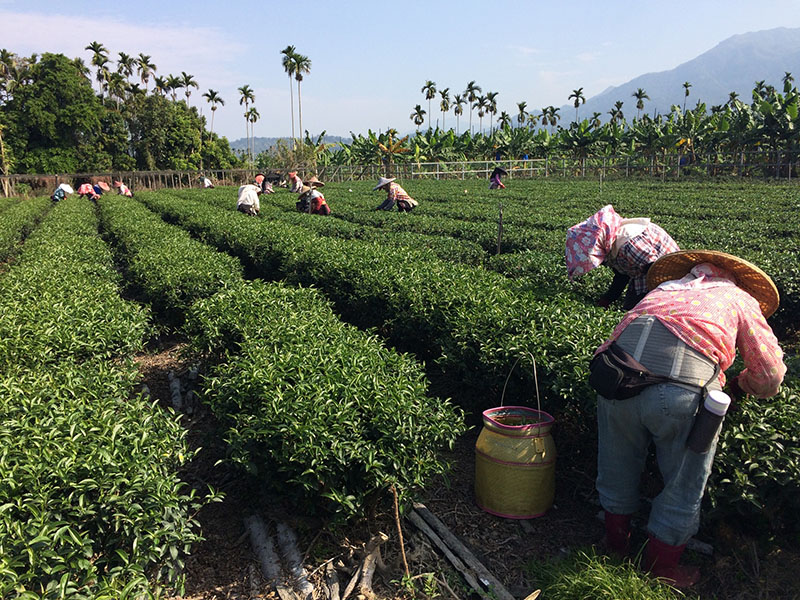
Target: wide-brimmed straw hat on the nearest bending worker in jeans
{"points": [[748, 276]]}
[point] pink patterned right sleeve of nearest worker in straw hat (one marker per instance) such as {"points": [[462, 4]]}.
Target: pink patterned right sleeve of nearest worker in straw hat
{"points": [[763, 358]]}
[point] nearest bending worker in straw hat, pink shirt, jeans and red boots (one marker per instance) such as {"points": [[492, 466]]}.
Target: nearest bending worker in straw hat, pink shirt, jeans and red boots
{"points": [[703, 307]]}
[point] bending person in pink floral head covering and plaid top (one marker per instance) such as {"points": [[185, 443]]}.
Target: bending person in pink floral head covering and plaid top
{"points": [[627, 246]]}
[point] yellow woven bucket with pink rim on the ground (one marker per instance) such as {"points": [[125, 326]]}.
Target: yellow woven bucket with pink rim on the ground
{"points": [[515, 462]]}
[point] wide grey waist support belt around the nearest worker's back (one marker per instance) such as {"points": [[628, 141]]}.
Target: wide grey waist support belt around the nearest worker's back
{"points": [[657, 348]]}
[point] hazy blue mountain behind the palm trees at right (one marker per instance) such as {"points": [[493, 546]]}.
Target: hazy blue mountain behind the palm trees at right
{"points": [[734, 65]]}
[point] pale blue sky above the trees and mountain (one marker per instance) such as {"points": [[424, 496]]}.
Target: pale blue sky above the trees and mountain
{"points": [[369, 60]]}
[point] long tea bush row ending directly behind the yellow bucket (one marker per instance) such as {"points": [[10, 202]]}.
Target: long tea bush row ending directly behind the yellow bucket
{"points": [[474, 323]]}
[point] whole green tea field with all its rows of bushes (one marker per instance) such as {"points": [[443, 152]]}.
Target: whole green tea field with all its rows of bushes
{"points": [[324, 346]]}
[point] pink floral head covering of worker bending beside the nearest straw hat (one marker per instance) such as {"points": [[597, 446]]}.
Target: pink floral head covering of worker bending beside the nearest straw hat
{"points": [[589, 242]]}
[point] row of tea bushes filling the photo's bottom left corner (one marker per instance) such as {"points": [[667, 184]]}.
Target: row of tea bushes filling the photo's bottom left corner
{"points": [[91, 503]]}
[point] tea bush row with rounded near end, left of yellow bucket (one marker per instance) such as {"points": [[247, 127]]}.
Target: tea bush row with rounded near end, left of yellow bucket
{"points": [[306, 401]]}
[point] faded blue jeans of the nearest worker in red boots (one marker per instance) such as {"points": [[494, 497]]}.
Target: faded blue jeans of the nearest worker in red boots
{"points": [[663, 414]]}
